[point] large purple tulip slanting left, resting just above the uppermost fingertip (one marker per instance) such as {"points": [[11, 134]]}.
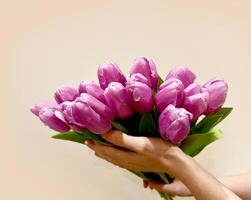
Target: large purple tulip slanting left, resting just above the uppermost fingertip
{"points": [[91, 113]]}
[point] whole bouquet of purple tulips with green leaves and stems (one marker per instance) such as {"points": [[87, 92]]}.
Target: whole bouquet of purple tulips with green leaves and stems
{"points": [[178, 109]]}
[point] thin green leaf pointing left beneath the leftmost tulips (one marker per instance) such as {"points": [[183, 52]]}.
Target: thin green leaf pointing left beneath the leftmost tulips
{"points": [[80, 137]]}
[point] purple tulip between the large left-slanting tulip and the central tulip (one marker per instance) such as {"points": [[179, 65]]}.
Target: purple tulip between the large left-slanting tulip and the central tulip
{"points": [[116, 98]]}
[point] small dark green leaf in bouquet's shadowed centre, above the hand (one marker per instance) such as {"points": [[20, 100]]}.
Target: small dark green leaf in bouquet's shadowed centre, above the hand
{"points": [[146, 125]]}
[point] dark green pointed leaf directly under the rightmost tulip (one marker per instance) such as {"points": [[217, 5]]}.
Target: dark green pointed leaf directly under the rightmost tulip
{"points": [[210, 121]]}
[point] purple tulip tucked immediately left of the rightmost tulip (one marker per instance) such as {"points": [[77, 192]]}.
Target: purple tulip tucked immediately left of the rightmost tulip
{"points": [[196, 99]]}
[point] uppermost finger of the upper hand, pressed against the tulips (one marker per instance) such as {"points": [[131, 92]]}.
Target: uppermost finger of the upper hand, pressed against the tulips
{"points": [[138, 144]]}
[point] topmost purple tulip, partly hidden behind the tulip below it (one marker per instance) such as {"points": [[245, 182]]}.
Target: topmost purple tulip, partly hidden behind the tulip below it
{"points": [[147, 68]]}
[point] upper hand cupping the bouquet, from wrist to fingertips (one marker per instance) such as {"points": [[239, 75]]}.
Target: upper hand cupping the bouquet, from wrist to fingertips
{"points": [[139, 153]]}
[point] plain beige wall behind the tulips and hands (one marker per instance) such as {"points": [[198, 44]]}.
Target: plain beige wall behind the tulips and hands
{"points": [[44, 44]]}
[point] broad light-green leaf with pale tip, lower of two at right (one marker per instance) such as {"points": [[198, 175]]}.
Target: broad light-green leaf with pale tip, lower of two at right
{"points": [[195, 143]]}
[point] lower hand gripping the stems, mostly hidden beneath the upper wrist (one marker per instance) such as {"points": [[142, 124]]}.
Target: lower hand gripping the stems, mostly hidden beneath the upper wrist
{"points": [[176, 188]]}
